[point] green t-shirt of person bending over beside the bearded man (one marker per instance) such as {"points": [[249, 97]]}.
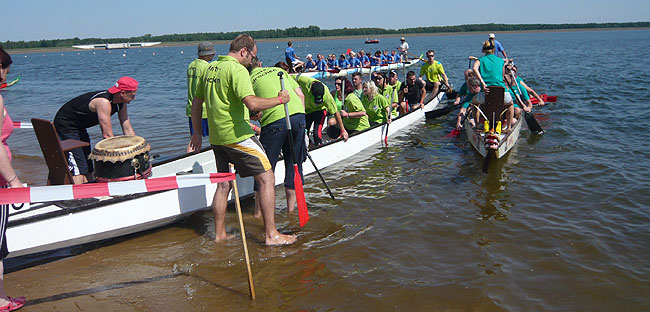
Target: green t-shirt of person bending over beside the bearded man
{"points": [[266, 84]]}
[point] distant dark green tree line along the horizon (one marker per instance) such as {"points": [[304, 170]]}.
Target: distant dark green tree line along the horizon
{"points": [[314, 31]]}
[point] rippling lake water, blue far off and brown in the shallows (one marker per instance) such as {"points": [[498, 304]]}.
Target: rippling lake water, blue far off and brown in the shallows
{"points": [[560, 224]]}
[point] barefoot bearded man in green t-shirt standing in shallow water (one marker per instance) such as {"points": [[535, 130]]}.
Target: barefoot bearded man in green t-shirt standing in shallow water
{"points": [[228, 92]]}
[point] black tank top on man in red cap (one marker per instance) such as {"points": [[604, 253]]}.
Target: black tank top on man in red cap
{"points": [[76, 115]]}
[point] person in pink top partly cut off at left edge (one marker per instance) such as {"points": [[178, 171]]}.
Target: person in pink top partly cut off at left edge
{"points": [[8, 179]]}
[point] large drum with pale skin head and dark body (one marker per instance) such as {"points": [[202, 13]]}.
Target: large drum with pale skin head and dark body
{"points": [[121, 158]]}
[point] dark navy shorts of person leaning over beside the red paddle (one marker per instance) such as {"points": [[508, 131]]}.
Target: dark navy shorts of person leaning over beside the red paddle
{"points": [[274, 138]]}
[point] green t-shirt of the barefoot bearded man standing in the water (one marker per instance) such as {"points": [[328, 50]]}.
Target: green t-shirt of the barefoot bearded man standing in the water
{"points": [[223, 87]]}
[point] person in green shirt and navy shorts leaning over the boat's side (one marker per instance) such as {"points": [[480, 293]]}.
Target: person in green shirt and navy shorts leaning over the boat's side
{"points": [[273, 135]]}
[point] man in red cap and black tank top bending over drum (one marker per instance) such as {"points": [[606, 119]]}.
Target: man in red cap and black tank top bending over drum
{"points": [[90, 109]]}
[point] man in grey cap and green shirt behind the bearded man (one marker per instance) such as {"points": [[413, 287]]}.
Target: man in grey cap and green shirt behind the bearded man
{"points": [[194, 71]]}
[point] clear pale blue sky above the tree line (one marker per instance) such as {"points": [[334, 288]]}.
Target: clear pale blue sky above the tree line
{"points": [[26, 20]]}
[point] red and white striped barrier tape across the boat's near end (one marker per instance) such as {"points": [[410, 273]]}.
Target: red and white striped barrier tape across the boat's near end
{"points": [[39, 194]]}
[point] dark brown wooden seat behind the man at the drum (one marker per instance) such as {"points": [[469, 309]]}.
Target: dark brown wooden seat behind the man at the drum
{"points": [[54, 151]]}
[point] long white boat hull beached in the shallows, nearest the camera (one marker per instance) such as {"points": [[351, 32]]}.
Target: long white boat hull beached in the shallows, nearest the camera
{"points": [[47, 226]]}
